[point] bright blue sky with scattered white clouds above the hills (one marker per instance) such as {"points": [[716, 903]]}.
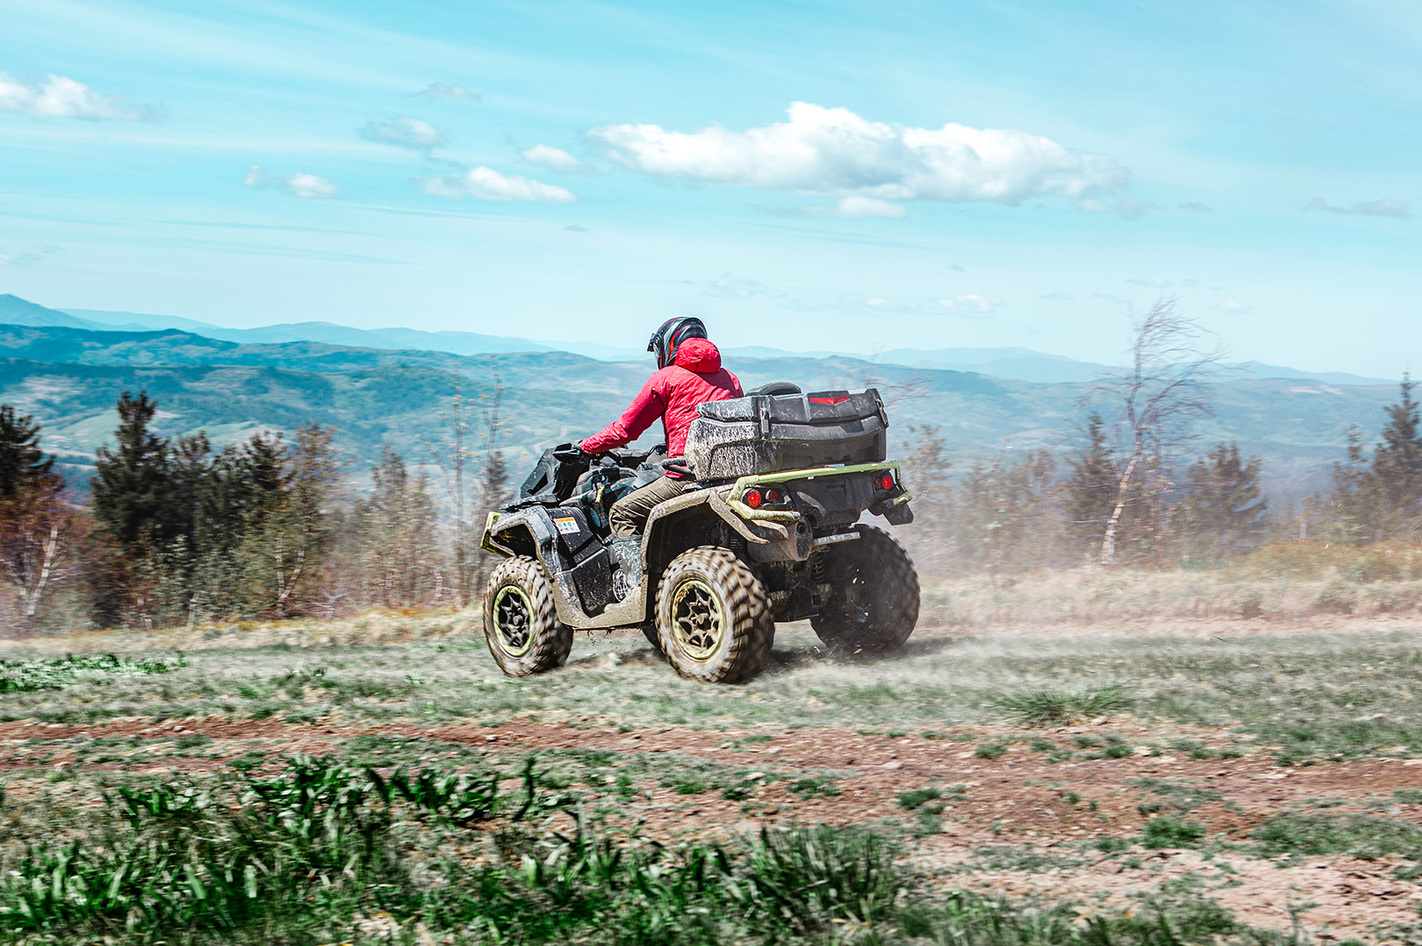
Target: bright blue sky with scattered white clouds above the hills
{"points": [[808, 176]]}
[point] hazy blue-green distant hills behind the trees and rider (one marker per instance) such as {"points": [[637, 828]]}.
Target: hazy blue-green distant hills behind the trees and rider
{"points": [[70, 378]]}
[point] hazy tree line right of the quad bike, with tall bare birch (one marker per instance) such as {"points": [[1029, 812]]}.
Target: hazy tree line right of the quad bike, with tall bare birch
{"points": [[1130, 493]]}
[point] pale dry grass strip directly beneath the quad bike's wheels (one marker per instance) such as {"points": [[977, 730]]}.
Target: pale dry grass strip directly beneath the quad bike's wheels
{"points": [[1315, 698]]}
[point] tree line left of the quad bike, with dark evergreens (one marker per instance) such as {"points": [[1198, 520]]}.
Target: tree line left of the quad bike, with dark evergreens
{"points": [[177, 533]]}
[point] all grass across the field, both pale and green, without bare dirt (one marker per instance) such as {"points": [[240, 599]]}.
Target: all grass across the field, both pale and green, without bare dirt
{"points": [[552, 857]]}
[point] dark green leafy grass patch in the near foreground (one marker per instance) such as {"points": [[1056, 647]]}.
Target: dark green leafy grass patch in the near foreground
{"points": [[312, 853]]}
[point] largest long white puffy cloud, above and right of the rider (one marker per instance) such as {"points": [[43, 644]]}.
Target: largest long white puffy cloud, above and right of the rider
{"points": [[834, 152]]}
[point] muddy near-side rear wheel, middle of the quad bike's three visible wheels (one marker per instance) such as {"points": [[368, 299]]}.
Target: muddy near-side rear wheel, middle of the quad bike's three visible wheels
{"points": [[715, 618]]}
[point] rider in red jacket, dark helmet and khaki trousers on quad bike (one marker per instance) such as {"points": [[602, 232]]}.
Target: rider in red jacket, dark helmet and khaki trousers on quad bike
{"points": [[689, 373]]}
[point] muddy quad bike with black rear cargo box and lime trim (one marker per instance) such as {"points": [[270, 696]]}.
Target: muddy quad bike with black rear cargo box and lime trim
{"points": [[767, 530]]}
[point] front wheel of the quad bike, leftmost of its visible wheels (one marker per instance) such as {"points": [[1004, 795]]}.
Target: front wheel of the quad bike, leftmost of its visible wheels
{"points": [[520, 621]]}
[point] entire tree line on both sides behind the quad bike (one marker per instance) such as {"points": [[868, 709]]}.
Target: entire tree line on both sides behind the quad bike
{"points": [[176, 531]]}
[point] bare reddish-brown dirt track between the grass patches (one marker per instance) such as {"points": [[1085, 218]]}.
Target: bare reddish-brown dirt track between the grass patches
{"points": [[1016, 824]]}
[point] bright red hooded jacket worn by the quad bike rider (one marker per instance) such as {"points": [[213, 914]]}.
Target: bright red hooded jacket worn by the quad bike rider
{"points": [[673, 393]]}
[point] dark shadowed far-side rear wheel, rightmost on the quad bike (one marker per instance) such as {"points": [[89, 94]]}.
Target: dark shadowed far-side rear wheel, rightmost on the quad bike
{"points": [[875, 598]]}
